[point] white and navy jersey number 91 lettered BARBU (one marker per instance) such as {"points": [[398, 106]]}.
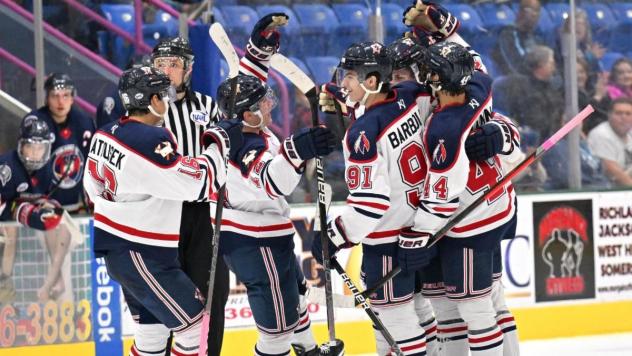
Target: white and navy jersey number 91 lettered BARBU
{"points": [[384, 167]]}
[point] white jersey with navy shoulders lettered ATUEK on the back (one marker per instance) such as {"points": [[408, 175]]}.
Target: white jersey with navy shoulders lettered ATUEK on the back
{"points": [[137, 181]]}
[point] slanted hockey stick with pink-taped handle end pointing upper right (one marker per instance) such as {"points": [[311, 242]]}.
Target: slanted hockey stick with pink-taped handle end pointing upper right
{"points": [[544, 147]]}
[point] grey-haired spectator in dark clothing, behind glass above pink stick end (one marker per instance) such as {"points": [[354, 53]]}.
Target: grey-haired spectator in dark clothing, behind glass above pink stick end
{"points": [[534, 99]]}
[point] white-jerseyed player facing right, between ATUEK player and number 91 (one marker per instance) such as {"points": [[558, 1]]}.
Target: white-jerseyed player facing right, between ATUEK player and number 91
{"points": [[257, 233]]}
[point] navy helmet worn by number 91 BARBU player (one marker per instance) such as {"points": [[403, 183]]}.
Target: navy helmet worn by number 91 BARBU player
{"points": [[365, 58]]}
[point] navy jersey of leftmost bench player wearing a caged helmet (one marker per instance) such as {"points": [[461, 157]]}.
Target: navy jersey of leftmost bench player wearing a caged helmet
{"points": [[17, 184]]}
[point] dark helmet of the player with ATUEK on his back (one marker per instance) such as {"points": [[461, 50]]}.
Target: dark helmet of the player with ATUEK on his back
{"points": [[138, 85]]}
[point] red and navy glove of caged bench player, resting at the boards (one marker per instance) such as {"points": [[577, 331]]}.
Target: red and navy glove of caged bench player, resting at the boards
{"points": [[43, 214]]}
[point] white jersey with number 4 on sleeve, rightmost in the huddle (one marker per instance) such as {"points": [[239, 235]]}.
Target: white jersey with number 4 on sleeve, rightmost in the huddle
{"points": [[453, 181]]}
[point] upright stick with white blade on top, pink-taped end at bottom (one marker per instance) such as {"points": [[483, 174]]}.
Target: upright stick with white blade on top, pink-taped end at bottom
{"points": [[221, 40]]}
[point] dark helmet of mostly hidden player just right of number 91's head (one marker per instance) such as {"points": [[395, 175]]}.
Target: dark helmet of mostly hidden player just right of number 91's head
{"points": [[406, 53]]}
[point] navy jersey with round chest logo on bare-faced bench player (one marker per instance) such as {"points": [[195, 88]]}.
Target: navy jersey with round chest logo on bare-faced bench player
{"points": [[68, 155]]}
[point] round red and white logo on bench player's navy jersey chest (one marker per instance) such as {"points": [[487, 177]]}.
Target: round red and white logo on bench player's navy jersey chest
{"points": [[67, 166]]}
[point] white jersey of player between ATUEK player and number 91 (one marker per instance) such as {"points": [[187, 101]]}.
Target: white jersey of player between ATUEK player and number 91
{"points": [[259, 176]]}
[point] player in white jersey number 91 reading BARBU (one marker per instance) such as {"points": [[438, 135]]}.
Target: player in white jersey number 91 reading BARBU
{"points": [[384, 166]]}
